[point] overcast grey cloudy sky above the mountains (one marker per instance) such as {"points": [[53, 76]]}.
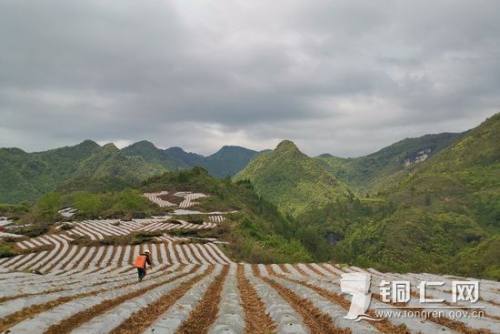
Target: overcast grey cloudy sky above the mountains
{"points": [[340, 77]]}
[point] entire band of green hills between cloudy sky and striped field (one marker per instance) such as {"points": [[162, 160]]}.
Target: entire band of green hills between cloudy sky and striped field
{"points": [[426, 204]]}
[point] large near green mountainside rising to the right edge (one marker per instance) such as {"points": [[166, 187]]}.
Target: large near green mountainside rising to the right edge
{"points": [[443, 216]]}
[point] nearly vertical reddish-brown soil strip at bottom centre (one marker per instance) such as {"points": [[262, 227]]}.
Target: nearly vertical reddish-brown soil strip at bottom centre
{"points": [[256, 319]]}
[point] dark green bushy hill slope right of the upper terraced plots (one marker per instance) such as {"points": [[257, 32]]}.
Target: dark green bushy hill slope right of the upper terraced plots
{"points": [[257, 232]]}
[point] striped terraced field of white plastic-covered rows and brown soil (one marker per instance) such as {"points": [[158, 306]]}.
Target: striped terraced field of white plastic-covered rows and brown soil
{"points": [[196, 288]]}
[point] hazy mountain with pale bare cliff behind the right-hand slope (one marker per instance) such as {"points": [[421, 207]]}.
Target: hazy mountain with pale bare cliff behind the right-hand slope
{"points": [[374, 171]]}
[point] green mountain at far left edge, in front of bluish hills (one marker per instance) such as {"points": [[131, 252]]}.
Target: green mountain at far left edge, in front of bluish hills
{"points": [[27, 176]]}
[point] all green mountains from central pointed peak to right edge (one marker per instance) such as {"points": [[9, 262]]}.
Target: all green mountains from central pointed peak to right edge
{"points": [[430, 216]]}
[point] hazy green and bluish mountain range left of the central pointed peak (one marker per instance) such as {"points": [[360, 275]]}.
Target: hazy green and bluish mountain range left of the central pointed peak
{"points": [[88, 166]]}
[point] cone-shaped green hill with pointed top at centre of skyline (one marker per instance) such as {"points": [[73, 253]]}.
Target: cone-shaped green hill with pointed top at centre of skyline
{"points": [[292, 180]]}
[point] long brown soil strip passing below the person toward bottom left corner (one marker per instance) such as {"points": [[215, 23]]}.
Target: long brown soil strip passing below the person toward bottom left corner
{"points": [[67, 325]]}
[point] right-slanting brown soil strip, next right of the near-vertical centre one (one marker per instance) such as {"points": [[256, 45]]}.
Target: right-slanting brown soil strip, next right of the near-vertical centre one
{"points": [[318, 322]]}
